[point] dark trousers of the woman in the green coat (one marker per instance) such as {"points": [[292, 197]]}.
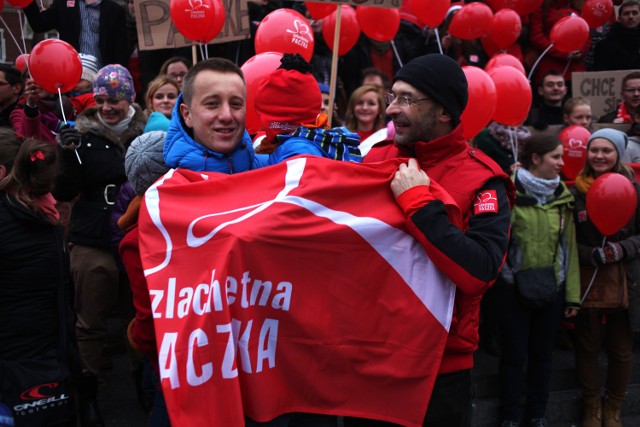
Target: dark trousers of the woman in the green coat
{"points": [[528, 336]]}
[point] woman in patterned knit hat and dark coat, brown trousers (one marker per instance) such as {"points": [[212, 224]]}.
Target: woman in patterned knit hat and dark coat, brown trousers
{"points": [[93, 169]]}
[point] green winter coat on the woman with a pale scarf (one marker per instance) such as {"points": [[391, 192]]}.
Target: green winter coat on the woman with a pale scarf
{"points": [[535, 229]]}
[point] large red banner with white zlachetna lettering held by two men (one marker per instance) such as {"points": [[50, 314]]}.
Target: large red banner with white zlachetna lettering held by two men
{"points": [[293, 288]]}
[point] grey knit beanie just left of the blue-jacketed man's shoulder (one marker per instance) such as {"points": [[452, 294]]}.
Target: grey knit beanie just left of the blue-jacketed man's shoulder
{"points": [[144, 162]]}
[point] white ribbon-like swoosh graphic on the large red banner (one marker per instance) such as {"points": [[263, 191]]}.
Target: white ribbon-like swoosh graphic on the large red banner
{"points": [[405, 255]]}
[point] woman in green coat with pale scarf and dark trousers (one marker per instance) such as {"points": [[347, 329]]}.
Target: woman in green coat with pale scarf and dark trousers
{"points": [[542, 235]]}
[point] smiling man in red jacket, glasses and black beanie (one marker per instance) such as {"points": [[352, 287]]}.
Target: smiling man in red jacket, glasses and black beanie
{"points": [[425, 103]]}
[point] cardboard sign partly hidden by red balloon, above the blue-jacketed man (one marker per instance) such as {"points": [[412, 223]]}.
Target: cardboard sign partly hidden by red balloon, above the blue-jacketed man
{"points": [[156, 30]]}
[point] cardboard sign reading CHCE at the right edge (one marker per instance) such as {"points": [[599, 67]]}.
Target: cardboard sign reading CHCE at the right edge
{"points": [[602, 88]]}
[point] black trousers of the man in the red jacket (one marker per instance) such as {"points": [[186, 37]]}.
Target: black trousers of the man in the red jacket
{"points": [[450, 404]]}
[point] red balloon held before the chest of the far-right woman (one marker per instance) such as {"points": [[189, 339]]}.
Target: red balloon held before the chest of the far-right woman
{"points": [[611, 202]]}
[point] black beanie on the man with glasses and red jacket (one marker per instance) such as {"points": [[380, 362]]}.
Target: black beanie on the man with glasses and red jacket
{"points": [[438, 77]]}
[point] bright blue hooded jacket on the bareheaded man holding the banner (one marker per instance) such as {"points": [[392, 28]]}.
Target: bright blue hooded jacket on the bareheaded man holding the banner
{"points": [[182, 151]]}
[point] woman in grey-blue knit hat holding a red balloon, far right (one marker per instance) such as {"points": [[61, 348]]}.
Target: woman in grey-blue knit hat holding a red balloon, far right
{"points": [[617, 261]]}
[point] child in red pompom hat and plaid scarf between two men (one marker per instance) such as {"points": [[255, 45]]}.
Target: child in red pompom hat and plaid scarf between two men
{"points": [[288, 103]]}
